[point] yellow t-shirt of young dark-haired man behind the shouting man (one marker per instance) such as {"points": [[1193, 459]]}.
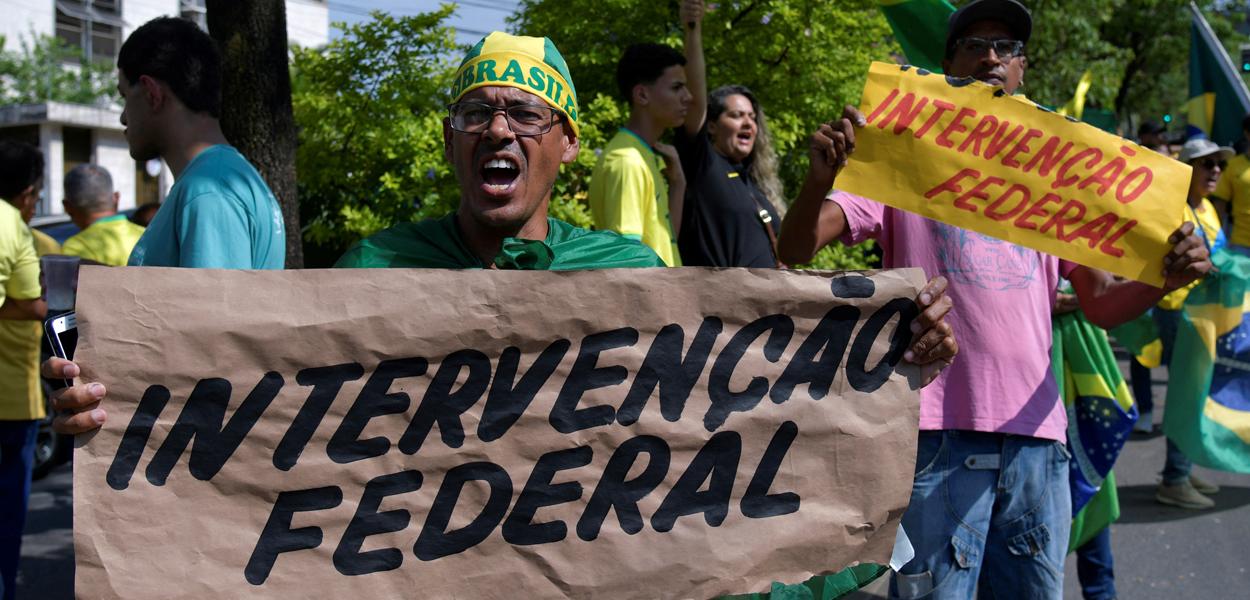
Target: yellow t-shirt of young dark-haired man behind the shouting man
{"points": [[629, 196]]}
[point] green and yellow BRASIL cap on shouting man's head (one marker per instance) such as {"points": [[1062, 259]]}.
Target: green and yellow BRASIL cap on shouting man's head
{"points": [[531, 64]]}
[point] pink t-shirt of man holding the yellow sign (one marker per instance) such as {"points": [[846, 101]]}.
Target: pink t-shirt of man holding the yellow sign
{"points": [[1003, 296]]}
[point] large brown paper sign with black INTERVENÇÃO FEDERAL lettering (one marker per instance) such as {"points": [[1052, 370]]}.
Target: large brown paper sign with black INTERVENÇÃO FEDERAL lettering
{"points": [[639, 433]]}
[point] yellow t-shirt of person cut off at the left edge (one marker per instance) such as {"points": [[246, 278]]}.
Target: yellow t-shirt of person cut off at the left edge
{"points": [[21, 393]]}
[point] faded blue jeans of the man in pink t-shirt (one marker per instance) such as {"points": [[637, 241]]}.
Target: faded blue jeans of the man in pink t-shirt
{"points": [[989, 518]]}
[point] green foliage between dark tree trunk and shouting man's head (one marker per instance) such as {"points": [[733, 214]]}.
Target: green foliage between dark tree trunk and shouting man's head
{"points": [[369, 108]]}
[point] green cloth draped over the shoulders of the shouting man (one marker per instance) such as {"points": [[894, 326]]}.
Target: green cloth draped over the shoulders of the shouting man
{"points": [[437, 244]]}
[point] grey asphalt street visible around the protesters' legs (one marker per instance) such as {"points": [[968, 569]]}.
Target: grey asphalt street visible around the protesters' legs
{"points": [[1161, 552]]}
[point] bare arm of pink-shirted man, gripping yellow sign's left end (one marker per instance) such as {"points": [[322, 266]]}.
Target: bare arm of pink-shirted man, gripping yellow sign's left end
{"points": [[812, 223]]}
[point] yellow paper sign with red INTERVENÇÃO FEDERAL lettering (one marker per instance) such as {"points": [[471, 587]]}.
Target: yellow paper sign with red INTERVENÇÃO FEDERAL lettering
{"points": [[967, 154]]}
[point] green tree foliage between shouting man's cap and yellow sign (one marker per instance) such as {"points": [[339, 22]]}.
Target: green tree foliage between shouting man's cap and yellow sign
{"points": [[807, 61]]}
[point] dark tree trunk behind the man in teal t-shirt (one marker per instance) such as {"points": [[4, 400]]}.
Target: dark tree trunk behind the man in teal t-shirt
{"points": [[257, 99]]}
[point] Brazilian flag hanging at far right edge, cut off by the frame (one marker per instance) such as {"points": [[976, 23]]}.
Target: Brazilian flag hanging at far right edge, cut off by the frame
{"points": [[1209, 378]]}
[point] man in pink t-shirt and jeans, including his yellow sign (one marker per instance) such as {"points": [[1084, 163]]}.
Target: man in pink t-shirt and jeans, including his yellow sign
{"points": [[968, 182]]}
